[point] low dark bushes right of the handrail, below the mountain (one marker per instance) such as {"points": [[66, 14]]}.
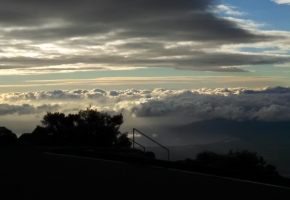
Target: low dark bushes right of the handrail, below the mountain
{"points": [[235, 160]]}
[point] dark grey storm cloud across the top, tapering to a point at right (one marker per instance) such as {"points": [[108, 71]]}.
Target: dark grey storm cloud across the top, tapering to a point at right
{"points": [[165, 19]]}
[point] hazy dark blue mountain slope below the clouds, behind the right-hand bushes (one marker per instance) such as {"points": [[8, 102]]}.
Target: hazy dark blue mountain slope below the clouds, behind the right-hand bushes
{"points": [[270, 139]]}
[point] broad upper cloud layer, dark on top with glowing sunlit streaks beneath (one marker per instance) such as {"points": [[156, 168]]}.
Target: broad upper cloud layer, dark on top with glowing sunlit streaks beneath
{"points": [[66, 36]]}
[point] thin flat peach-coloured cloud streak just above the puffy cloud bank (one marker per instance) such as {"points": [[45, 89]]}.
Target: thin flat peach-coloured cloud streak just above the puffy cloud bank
{"points": [[111, 81]]}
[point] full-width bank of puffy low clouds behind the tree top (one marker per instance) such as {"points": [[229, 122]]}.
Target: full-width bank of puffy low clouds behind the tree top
{"points": [[267, 104]]}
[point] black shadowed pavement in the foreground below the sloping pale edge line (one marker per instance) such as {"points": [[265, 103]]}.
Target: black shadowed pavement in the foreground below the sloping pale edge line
{"points": [[32, 174]]}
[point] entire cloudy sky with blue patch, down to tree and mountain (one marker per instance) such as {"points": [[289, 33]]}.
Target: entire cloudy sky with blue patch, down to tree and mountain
{"points": [[156, 62]]}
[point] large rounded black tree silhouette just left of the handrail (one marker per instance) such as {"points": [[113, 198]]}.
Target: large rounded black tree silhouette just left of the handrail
{"points": [[87, 127]]}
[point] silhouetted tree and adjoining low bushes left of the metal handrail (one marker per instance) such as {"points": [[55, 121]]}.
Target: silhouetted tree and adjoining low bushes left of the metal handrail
{"points": [[88, 133]]}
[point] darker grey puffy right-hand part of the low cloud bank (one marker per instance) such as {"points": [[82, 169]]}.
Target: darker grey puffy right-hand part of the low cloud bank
{"points": [[268, 104]]}
